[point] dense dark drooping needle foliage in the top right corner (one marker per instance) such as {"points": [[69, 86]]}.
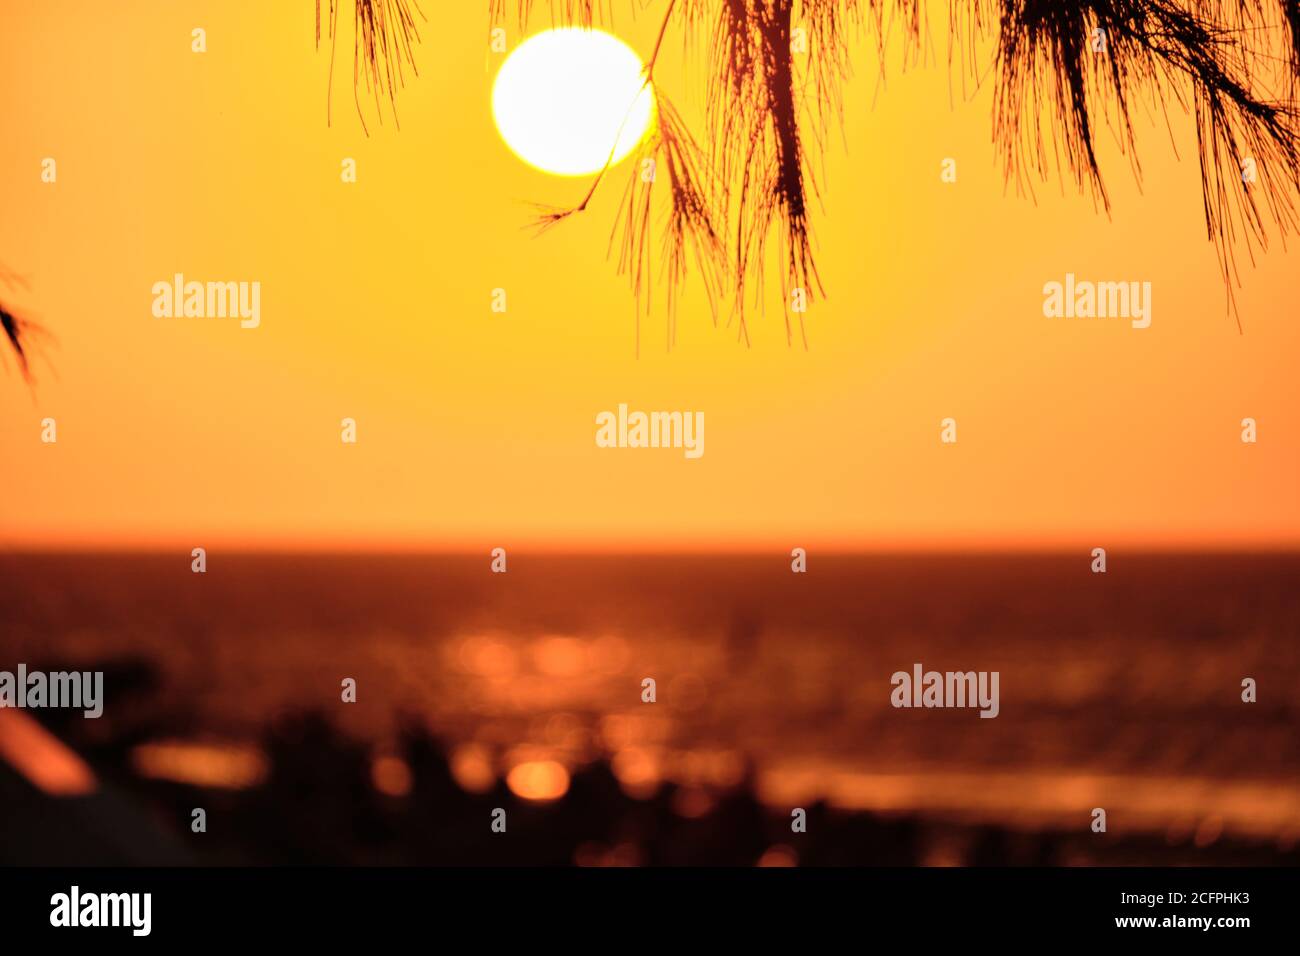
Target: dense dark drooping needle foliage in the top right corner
{"points": [[1236, 66]]}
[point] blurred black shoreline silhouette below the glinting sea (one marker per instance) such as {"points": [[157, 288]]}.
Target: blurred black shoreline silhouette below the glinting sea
{"points": [[318, 807]]}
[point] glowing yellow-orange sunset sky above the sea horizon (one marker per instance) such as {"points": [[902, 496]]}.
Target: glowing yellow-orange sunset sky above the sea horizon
{"points": [[476, 430]]}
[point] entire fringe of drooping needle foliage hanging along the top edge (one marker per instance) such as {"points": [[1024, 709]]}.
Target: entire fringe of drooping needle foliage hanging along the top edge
{"points": [[1064, 73]]}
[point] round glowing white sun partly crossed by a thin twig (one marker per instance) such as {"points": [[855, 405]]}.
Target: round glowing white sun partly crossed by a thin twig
{"points": [[565, 98]]}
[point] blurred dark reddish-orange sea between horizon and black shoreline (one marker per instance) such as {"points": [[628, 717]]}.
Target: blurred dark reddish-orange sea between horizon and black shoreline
{"points": [[1121, 691]]}
